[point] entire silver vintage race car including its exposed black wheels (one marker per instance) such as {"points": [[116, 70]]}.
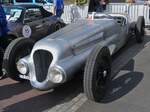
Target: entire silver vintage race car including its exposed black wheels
{"points": [[55, 59]]}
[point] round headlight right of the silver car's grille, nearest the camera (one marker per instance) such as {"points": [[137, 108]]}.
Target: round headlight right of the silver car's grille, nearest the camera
{"points": [[57, 75]]}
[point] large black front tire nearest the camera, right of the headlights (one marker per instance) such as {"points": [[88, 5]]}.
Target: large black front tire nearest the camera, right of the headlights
{"points": [[95, 81]]}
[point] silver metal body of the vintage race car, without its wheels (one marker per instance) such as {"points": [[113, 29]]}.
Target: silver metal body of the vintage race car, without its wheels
{"points": [[54, 59]]}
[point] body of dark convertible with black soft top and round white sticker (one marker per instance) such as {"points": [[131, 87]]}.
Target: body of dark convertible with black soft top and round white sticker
{"points": [[30, 21]]}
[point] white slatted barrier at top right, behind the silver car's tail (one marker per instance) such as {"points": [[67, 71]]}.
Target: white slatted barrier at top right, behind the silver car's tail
{"points": [[133, 10]]}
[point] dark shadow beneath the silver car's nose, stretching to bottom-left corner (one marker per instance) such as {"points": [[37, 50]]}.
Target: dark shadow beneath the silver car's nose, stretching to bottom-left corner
{"points": [[48, 100]]}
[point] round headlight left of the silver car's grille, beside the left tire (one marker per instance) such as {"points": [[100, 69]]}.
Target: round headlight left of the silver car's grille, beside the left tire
{"points": [[22, 67]]}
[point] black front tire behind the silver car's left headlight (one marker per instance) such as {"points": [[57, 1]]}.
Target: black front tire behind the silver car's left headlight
{"points": [[17, 49]]}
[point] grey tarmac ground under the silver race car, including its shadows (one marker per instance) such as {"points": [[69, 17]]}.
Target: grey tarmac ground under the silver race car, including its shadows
{"points": [[129, 89]]}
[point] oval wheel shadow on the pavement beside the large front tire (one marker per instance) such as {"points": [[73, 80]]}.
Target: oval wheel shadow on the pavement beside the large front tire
{"points": [[122, 85]]}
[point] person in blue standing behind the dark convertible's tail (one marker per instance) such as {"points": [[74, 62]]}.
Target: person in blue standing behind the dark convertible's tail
{"points": [[58, 7]]}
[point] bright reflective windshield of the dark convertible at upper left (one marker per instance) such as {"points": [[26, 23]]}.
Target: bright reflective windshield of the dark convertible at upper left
{"points": [[15, 14]]}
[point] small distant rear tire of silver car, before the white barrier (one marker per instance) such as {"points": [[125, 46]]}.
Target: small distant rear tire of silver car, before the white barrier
{"points": [[139, 30]]}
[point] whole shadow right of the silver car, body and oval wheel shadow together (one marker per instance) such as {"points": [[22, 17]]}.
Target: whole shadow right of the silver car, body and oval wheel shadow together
{"points": [[122, 85]]}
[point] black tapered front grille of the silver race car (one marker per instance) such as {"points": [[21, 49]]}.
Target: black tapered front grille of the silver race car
{"points": [[42, 61]]}
